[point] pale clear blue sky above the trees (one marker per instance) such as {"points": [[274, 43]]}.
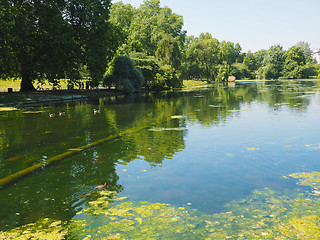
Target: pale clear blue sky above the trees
{"points": [[255, 24]]}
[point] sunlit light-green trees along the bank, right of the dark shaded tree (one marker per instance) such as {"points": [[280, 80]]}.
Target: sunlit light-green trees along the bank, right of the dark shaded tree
{"points": [[154, 39]]}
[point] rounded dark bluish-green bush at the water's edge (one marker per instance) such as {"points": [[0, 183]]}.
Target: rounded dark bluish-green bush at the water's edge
{"points": [[125, 76]]}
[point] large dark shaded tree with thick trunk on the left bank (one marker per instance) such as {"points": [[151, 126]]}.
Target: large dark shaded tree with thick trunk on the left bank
{"points": [[53, 39]]}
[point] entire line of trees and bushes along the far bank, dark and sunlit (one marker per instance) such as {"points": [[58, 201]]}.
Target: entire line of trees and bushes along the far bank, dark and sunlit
{"points": [[128, 48]]}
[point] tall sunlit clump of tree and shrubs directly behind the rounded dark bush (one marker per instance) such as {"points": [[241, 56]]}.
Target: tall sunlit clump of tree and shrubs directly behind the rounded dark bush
{"points": [[153, 37]]}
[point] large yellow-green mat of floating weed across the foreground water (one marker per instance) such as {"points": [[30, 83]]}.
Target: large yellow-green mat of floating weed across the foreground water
{"points": [[265, 214]]}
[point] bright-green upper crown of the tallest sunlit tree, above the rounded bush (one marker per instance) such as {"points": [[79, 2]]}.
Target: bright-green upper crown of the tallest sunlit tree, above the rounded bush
{"points": [[149, 25]]}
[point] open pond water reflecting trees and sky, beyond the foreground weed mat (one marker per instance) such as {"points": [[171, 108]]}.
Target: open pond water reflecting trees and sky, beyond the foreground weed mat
{"points": [[202, 148]]}
